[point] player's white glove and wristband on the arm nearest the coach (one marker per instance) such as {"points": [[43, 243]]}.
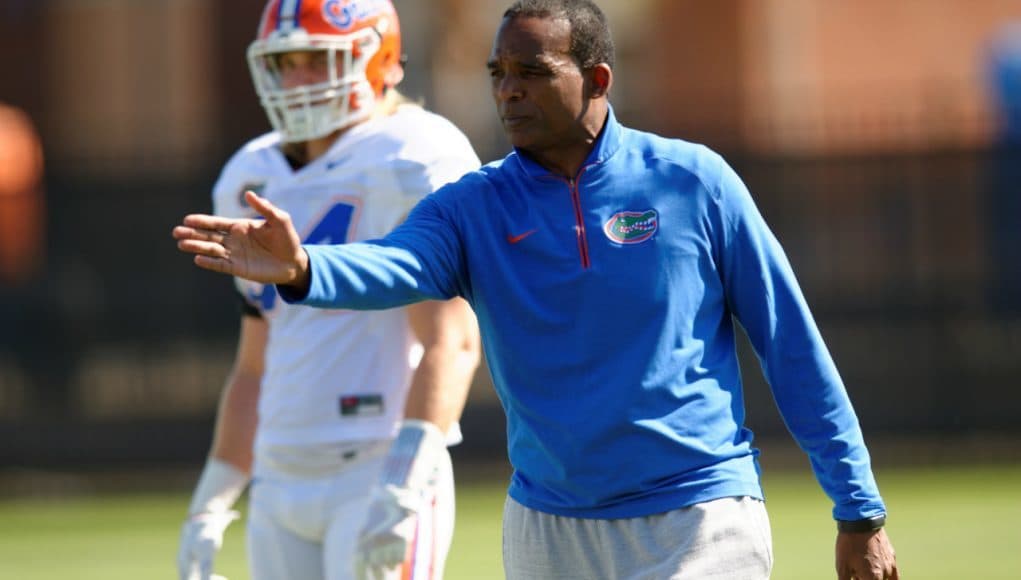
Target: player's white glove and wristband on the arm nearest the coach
{"points": [[406, 487]]}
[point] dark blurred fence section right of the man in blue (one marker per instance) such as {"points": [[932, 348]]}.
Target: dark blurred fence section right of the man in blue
{"points": [[913, 267]]}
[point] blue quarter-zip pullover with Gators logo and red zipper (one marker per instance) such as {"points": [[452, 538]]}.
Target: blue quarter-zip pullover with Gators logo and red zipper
{"points": [[608, 306]]}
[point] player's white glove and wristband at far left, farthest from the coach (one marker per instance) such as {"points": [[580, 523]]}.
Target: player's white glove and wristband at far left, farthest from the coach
{"points": [[211, 514]]}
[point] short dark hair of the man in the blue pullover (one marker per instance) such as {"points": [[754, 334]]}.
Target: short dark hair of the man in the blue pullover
{"points": [[591, 40]]}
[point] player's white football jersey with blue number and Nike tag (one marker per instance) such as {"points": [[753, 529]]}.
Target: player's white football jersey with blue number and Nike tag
{"points": [[342, 375]]}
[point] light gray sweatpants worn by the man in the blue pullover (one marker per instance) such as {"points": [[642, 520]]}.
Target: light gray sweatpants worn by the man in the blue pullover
{"points": [[726, 539]]}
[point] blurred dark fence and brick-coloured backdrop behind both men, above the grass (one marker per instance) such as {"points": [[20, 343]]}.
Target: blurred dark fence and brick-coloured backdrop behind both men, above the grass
{"points": [[882, 141]]}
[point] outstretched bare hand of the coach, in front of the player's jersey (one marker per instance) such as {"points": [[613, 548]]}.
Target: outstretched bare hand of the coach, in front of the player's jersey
{"points": [[262, 251]]}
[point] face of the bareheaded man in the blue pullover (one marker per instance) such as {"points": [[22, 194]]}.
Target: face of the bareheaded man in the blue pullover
{"points": [[539, 88]]}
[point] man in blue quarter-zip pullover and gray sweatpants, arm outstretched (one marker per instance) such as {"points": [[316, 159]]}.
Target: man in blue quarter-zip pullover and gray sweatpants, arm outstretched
{"points": [[609, 269]]}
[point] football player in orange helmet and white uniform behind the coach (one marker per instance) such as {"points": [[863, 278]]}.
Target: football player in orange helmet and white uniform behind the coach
{"points": [[348, 477]]}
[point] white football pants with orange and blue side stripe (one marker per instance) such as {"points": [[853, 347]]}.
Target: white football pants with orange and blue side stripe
{"points": [[308, 506]]}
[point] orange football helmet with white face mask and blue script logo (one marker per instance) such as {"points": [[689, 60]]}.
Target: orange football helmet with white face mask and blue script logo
{"points": [[361, 41]]}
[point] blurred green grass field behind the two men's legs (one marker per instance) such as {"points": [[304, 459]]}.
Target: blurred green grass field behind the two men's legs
{"points": [[947, 523]]}
